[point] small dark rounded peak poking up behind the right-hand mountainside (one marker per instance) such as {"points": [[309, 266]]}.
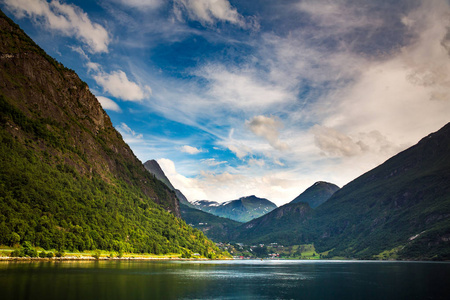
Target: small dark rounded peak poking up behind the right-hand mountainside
{"points": [[316, 194]]}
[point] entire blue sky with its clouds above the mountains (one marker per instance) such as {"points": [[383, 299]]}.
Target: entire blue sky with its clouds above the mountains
{"points": [[235, 98]]}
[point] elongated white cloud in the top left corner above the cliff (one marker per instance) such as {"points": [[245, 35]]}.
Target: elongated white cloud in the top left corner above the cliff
{"points": [[69, 20]]}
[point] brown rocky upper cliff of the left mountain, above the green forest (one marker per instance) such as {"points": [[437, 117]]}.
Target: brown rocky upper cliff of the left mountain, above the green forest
{"points": [[75, 128]]}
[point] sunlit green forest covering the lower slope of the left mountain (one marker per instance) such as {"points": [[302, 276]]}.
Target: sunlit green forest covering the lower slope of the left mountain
{"points": [[54, 207]]}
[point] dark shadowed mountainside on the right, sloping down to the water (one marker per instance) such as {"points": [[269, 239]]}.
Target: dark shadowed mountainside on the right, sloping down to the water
{"points": [[401, 209]]}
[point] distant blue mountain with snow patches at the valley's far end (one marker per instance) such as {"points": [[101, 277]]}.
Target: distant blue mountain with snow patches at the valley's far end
{"points": [[241, 210]]}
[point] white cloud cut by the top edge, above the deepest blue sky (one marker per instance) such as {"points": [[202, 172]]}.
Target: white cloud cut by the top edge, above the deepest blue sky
{"points": [[209, 12]]}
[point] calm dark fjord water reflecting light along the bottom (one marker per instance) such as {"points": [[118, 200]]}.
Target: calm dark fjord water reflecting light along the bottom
{"points": [[224, 280]]}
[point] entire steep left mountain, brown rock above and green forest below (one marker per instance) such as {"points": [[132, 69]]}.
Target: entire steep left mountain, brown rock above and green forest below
{"points": [[67, 179]]}
